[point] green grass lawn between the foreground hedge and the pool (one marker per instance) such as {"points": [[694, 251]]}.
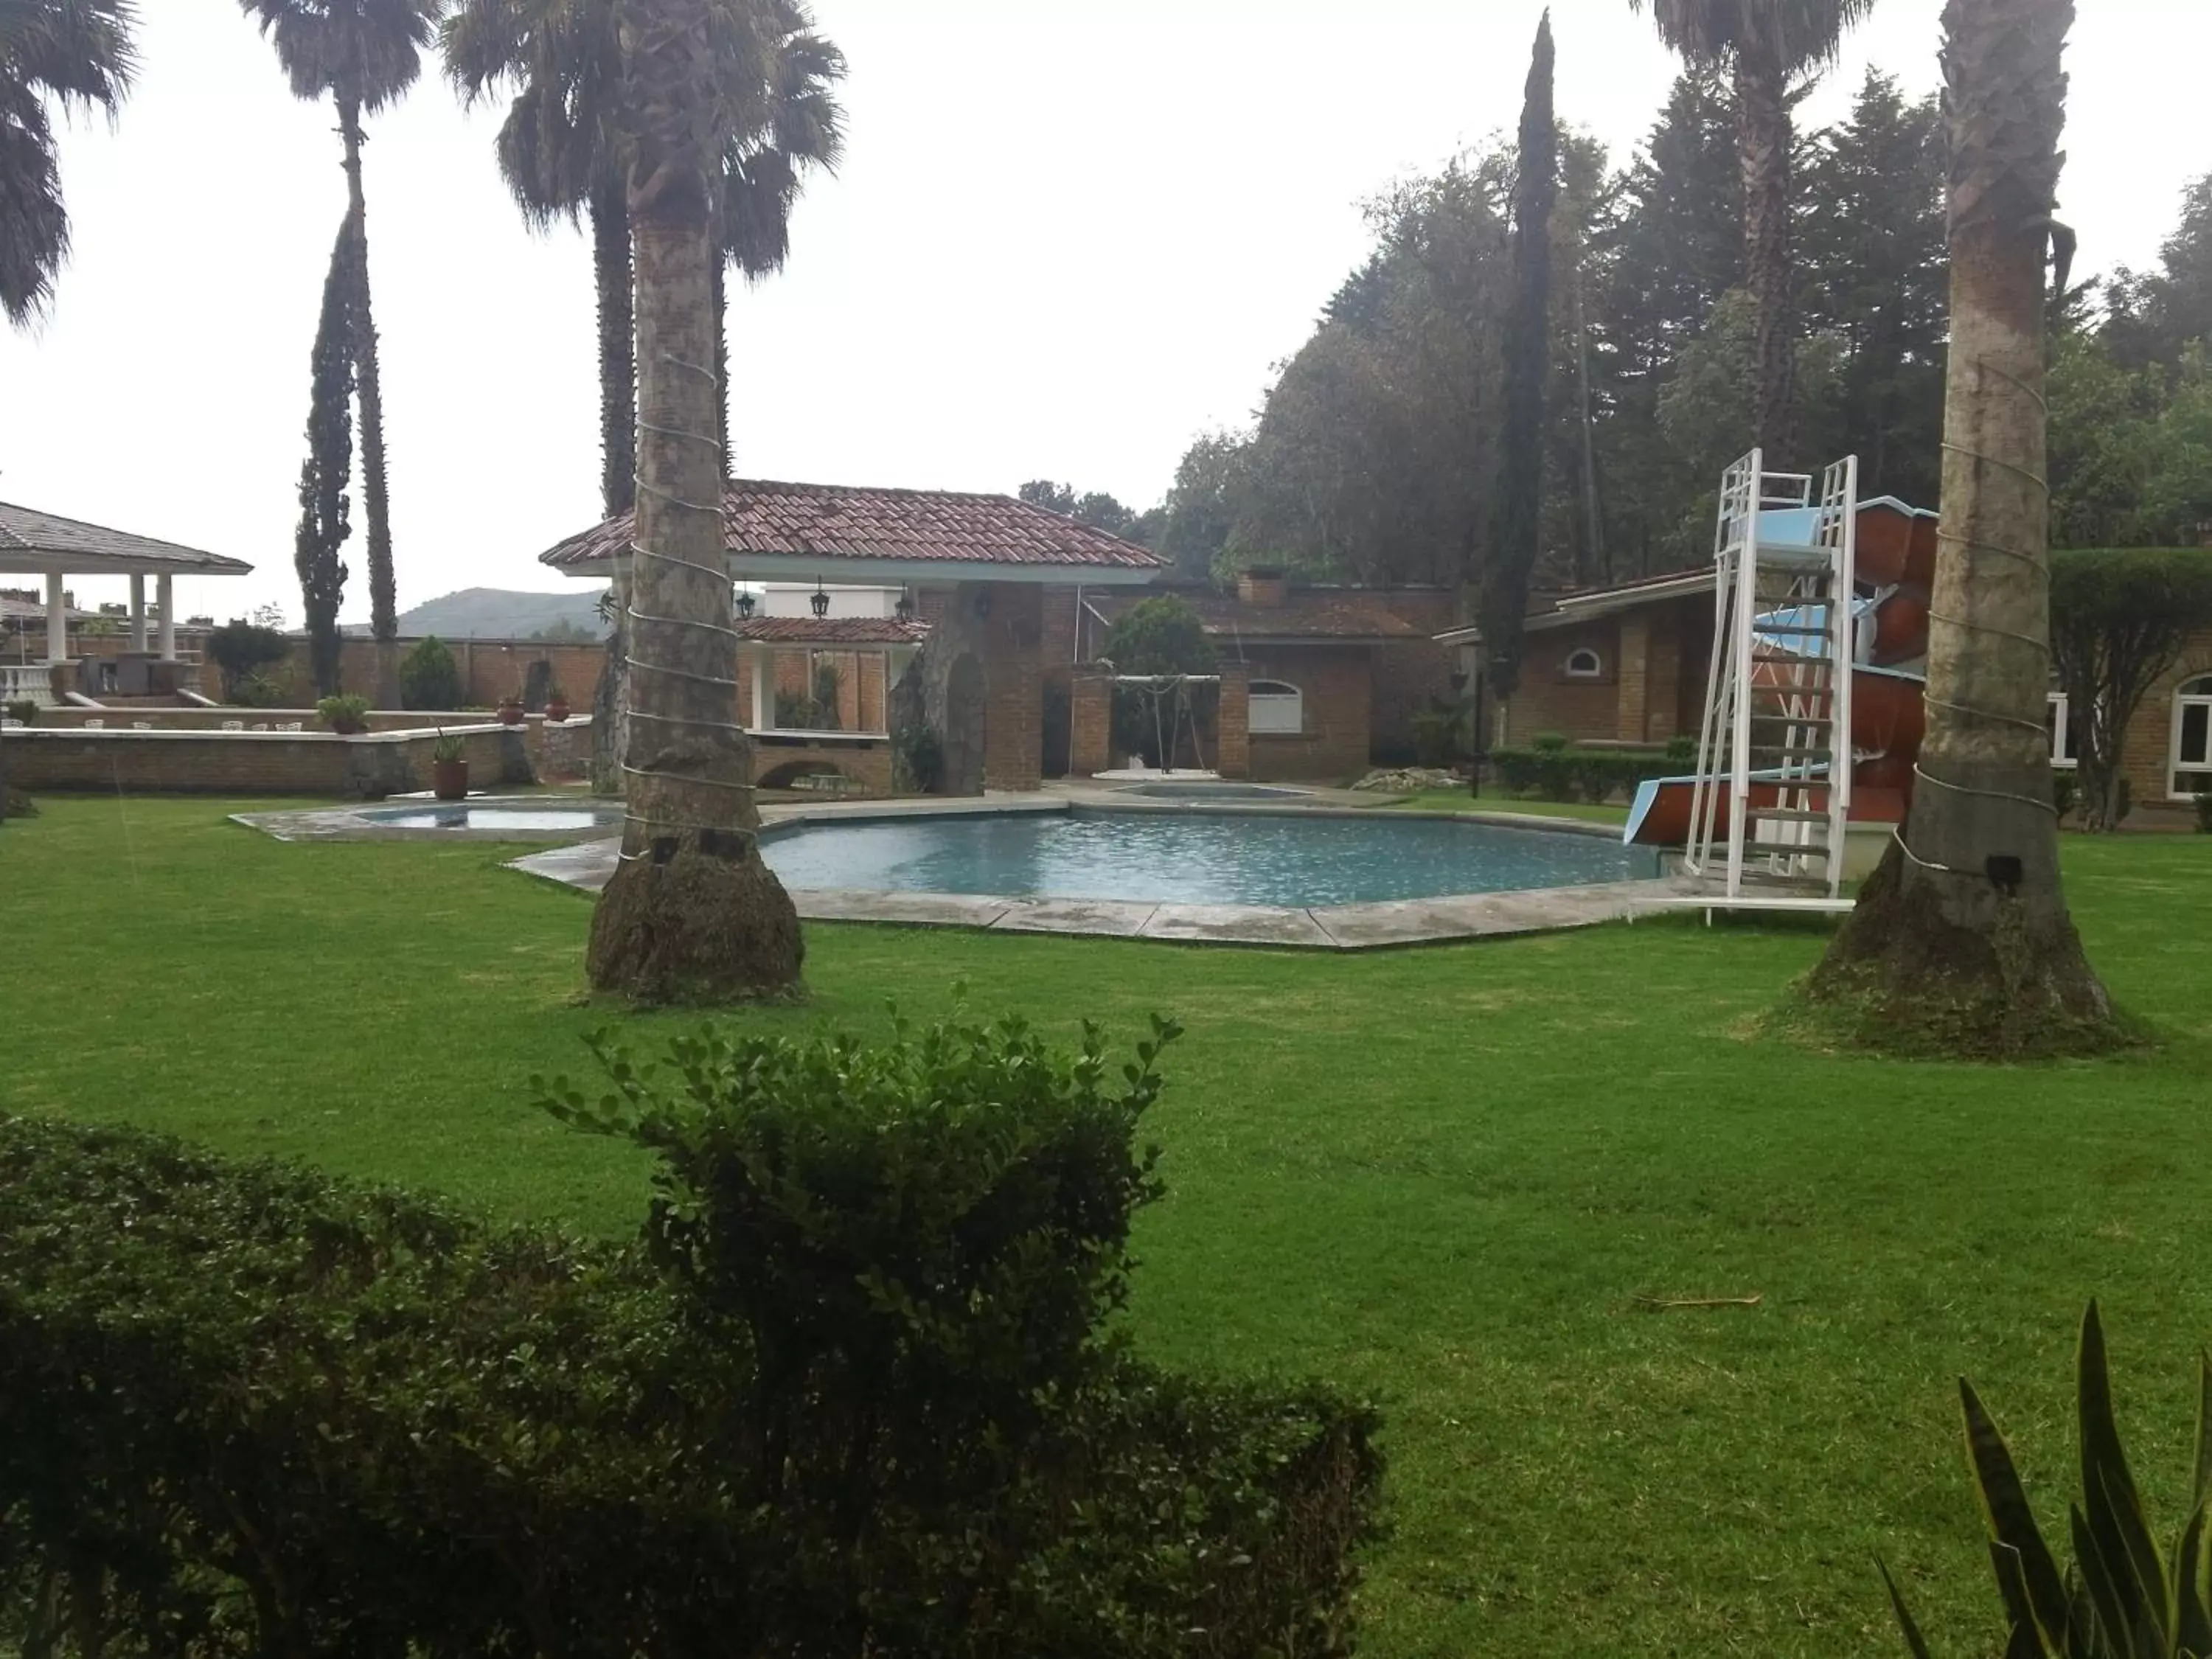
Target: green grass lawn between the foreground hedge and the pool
{"points": [[1437, 1176]]}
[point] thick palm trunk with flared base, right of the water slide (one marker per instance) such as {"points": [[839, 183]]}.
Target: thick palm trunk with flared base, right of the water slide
{"points": [[1963, 935]]}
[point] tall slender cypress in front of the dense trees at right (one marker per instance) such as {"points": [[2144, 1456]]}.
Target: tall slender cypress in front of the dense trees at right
{"points": [[1519, 497]]}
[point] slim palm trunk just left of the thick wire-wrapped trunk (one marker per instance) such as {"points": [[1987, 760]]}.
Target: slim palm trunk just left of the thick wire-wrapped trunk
{"points": [[618, 459]]}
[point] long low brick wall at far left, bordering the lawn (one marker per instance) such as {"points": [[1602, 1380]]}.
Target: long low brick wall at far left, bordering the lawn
{"points": [[178, 762]]}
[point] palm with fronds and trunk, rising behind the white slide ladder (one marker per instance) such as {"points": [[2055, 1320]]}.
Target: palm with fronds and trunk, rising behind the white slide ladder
{"points": [[1764, 43]]}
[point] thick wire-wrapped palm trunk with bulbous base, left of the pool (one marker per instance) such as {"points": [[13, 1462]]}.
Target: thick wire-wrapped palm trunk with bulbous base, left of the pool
{"points": [[691, 912]]}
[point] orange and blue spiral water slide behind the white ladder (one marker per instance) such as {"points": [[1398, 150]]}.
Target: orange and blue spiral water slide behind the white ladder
{"points": [[1897, 574]]}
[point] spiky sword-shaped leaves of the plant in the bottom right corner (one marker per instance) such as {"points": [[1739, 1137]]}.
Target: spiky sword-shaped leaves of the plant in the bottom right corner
{"points": [[2122, 1596]]}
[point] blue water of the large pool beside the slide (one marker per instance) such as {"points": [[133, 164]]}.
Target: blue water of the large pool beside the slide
{"points": [[1198, 857]]}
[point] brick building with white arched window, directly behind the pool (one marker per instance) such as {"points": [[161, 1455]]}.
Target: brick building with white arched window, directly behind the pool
{"points": [[1335, 674]]}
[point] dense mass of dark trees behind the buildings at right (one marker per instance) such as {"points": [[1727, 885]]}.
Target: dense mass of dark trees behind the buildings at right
{"points": [[1375, 455]]}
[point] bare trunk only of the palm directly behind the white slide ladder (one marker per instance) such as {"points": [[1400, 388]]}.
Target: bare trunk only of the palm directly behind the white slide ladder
{"points": [[1764, 147]]}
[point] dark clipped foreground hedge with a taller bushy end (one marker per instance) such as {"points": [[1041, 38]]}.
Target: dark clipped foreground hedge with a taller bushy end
{"points": [[846, 1397]]}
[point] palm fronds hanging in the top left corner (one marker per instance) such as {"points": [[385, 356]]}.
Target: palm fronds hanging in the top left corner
{"points": [[79, 54]]}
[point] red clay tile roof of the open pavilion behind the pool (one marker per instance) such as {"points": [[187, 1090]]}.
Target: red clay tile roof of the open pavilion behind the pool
{"points": [[921, 525]]}
